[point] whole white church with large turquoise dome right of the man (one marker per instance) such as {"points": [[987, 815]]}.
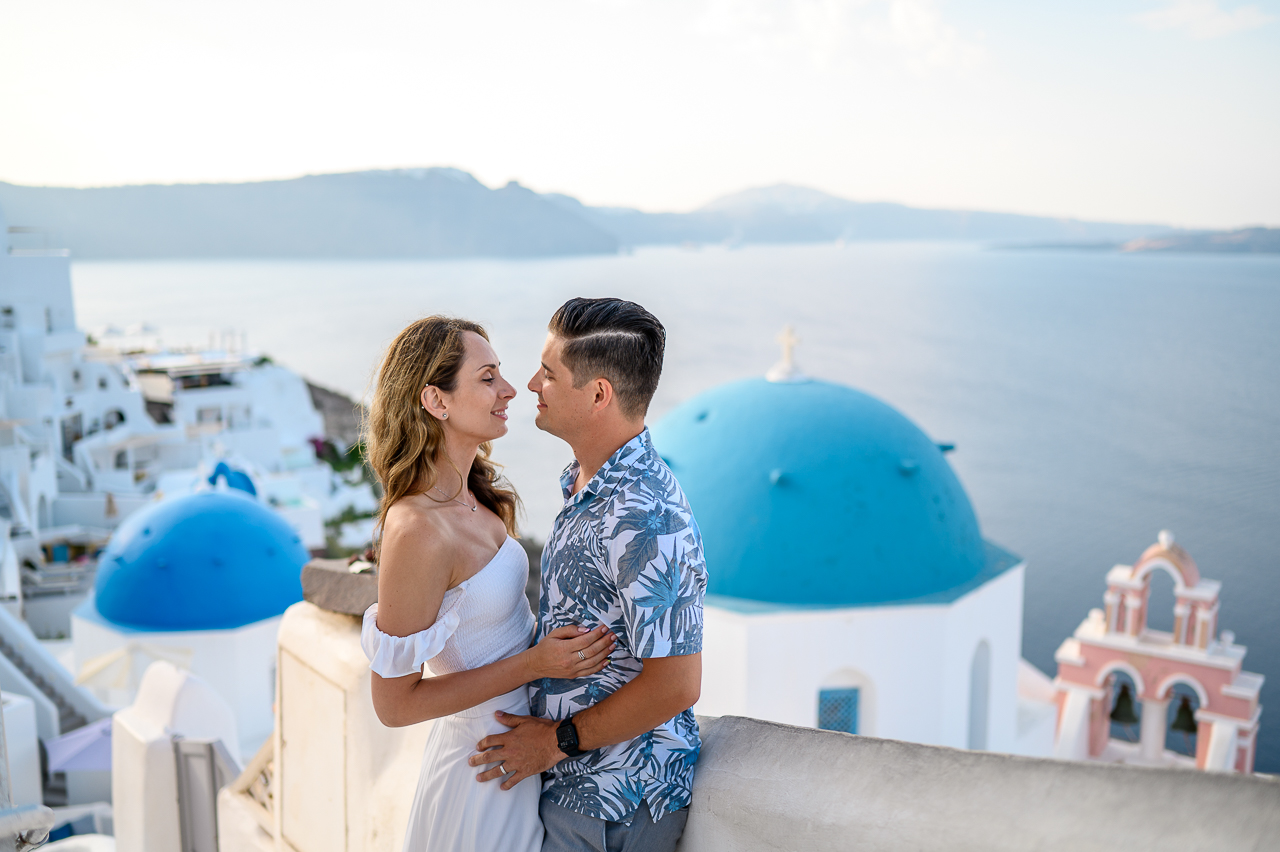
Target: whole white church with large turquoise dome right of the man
{"points": [[849, 585]]}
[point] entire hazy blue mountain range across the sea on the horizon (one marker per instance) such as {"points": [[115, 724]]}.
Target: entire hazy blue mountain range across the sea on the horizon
{"points": [[447, 213]]}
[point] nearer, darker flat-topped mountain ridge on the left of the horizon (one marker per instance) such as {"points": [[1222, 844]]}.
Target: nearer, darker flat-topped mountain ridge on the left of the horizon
{"points": [[412, 213]]}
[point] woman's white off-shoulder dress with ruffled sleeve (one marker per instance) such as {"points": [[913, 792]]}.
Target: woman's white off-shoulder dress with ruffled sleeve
{"points": [[482, 621]]}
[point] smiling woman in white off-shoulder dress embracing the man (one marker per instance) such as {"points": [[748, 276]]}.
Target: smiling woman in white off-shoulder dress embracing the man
{"points": [[451, 587]]}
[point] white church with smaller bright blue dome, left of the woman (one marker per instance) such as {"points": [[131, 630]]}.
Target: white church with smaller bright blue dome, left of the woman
{"points": [[200, 581]]}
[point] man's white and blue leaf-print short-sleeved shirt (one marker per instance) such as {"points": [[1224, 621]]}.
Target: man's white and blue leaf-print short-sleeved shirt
{"points": [[625, 552]]}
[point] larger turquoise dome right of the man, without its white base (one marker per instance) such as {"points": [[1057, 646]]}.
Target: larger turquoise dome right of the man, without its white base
{"points": [[815, 494]]}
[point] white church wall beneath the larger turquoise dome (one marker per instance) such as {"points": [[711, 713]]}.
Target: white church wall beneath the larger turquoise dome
{"points": [[912, 663]]}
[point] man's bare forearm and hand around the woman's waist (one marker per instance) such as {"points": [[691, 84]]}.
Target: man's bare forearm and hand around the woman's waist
{"points": [[666, 688]]}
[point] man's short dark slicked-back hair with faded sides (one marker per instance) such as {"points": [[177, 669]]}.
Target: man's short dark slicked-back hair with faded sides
{"points": [[618, 341]]}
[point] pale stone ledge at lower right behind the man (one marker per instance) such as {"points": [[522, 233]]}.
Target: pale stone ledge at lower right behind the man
{"points": [[767, 786]]}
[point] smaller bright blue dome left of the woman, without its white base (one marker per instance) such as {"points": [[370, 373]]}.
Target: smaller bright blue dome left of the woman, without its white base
{"points": [[200, 562]]}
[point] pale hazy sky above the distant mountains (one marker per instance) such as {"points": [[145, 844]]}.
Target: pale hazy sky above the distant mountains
{"points": [[1154, 111]]}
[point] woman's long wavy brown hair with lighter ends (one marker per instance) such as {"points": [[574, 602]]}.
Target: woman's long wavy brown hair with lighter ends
{"points": [[405, 445]]}
